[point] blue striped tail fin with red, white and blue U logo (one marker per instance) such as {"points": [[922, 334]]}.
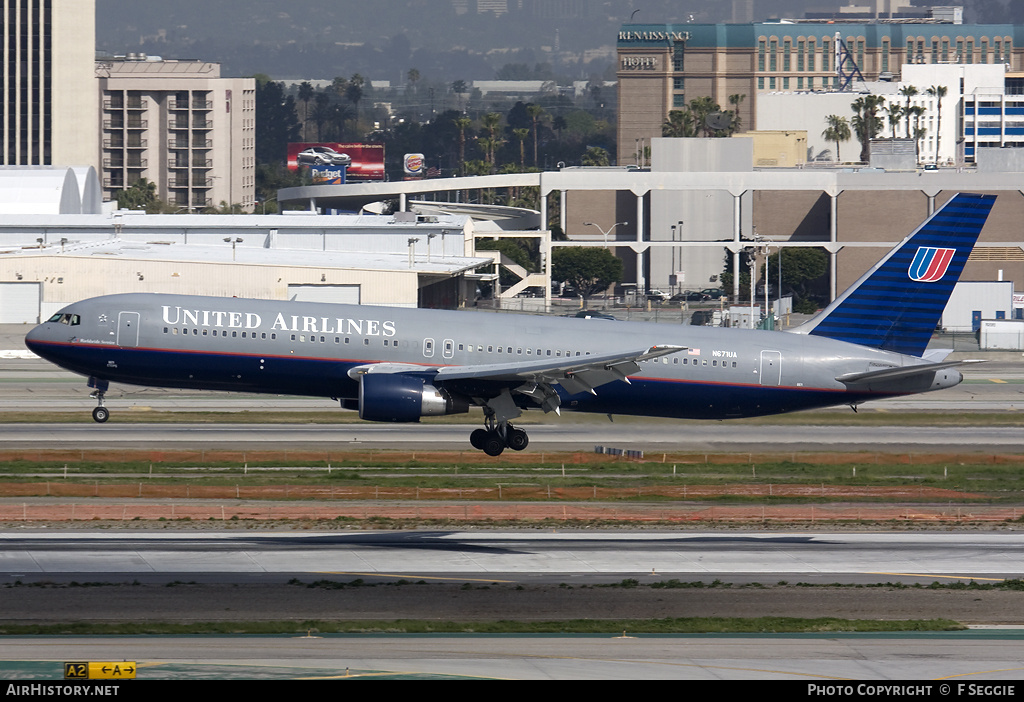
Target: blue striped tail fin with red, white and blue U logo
{"points": [[897, 305]]}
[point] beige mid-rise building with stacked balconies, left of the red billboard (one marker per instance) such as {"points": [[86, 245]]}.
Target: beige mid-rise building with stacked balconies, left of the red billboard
{"points": [[182, 126]]}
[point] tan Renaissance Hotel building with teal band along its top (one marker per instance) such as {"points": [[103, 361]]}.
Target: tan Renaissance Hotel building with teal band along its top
{"points": [[665, 67]]}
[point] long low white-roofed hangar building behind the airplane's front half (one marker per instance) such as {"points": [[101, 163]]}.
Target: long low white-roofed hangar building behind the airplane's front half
{"points": [[49, 261]]}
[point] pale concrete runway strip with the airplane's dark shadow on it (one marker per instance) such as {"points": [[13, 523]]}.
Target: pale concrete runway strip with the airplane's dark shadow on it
{"points": [[511, 557]]}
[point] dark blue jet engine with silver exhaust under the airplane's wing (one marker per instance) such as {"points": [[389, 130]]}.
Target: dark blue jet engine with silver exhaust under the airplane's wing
{"points": [[394, 398]]}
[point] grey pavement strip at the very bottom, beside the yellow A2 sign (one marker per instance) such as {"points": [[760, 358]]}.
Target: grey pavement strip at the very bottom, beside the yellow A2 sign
{"points": [[945, 662]]}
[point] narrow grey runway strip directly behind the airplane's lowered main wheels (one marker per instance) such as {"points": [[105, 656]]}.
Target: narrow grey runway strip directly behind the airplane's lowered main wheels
{"points": [[651, 436]]}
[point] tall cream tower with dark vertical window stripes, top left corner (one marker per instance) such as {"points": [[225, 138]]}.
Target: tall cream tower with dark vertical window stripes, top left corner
{"points": [[51, 107]]}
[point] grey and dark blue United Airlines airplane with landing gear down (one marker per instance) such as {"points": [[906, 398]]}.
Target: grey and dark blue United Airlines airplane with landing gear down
{"points": [[400, 365]]}
